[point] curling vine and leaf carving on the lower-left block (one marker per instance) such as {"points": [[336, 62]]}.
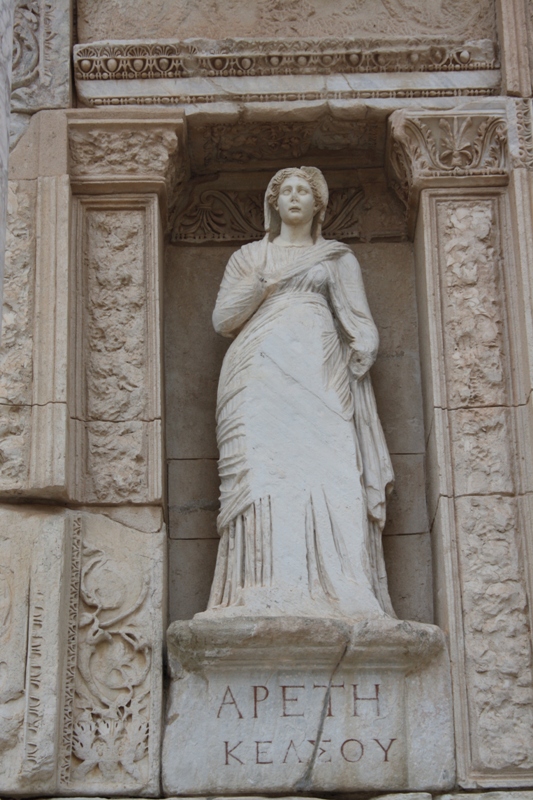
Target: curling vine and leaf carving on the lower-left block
{"points": [[111, 729]]}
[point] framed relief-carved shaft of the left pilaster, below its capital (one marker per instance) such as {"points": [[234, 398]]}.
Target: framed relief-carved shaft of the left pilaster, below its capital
{"points": [[117, 422]]}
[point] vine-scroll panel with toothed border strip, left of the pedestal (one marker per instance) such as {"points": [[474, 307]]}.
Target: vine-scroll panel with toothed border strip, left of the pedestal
{"points": [[111, 737]]}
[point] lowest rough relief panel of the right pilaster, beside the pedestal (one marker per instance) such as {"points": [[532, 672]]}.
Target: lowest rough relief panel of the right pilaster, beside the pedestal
{"points": [[497, 633]]}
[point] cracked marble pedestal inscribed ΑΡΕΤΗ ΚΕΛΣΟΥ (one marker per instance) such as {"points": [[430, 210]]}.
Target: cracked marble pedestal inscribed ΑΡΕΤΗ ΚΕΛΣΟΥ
{"points": [[289, 705]]}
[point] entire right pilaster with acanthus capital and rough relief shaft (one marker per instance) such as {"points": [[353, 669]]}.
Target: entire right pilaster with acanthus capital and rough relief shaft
{"points": [[472, 240]]}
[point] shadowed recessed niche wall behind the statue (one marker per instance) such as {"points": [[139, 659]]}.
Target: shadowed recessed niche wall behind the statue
{"points": [[221, 211]]}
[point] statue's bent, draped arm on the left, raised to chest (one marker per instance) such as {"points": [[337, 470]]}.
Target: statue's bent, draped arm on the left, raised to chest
{"points": [[241, 293]]}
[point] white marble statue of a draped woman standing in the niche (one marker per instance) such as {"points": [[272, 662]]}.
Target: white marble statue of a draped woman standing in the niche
{"points": [[304, 467]]}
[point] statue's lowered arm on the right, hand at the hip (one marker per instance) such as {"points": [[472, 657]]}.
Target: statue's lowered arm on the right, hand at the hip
{"points": [[348, 299]]}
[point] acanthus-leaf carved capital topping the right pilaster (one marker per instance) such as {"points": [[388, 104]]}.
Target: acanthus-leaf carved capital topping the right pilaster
{"points": [[448, 149]]}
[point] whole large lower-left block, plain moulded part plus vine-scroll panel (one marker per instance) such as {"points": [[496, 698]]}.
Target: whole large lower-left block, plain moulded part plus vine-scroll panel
{"points": [[81, 625]]}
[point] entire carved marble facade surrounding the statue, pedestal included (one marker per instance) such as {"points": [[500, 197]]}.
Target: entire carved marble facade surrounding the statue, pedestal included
{"points": [[142, 140]]}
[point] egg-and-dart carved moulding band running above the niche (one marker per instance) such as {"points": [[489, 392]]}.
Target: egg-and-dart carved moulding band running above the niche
{"points": [[266, 57]]}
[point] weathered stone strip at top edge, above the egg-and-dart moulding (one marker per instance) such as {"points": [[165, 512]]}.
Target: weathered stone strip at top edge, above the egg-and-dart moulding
{"points": [[262, 18]]}
